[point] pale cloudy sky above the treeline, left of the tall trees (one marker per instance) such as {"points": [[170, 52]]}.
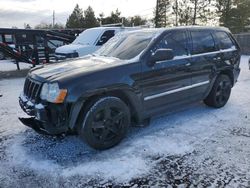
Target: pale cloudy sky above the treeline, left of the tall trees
{"points": [[33, 12]]}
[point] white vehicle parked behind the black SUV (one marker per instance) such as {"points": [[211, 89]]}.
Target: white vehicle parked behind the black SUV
{"points": [[88, 42]]}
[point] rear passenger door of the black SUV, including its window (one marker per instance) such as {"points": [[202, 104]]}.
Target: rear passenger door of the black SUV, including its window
{"points": [[204, 57]]}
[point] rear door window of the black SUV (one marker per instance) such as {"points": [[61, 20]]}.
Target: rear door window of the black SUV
{"points": [[203, 42]]}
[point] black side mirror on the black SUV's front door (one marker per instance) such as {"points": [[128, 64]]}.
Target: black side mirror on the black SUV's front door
{"points": [[161, 55]]}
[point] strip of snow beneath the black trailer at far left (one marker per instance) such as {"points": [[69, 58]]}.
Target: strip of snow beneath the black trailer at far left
{"points": [[9, 65]]}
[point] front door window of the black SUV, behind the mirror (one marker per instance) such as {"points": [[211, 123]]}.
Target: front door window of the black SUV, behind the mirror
{"points": [[175, 41]]}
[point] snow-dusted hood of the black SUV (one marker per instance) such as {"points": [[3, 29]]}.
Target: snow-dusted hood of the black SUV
{"points": [[85, 65]]}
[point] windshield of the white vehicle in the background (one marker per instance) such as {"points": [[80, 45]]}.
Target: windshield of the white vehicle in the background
{"points": [[87, 37]]}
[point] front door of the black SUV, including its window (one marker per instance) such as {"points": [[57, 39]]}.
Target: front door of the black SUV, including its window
{"points": [[166, 82]]}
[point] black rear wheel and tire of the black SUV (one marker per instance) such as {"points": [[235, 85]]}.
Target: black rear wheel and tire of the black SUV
{"points": [[220, 92]]}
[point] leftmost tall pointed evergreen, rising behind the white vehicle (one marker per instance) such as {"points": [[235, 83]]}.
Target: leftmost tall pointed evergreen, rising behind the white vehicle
{"points": [[76, 19]]}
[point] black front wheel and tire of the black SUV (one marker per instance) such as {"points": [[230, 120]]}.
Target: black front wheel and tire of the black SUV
{"points": [[105, 123]]}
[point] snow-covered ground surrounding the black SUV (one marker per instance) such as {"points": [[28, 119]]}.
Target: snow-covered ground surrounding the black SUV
{"points": [[197, 146]]}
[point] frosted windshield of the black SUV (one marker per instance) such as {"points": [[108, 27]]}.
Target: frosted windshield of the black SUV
{"points": [[127, 45]]}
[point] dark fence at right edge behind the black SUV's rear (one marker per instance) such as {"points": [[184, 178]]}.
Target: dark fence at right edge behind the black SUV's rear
{"points": [[244, 41]]}
